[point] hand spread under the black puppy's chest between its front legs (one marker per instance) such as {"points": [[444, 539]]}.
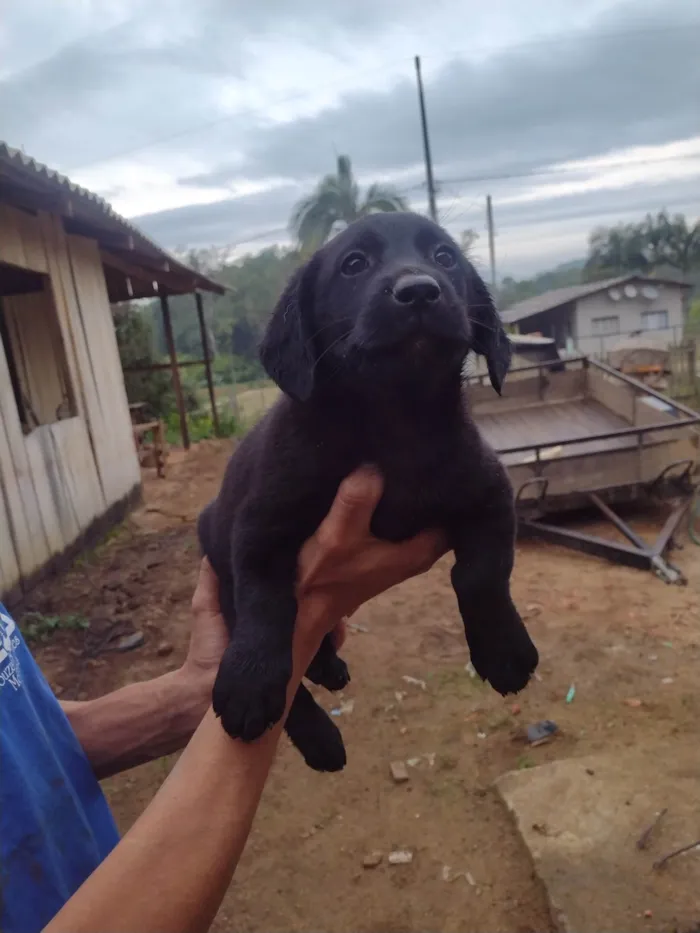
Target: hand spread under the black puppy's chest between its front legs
{"points": [[343, 565]]}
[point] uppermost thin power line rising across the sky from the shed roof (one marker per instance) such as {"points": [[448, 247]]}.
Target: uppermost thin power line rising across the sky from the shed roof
{"points": [[386, 66]]}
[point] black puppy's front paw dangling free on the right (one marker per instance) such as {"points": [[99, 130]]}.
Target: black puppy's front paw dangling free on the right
{"points": [[504, 655]]}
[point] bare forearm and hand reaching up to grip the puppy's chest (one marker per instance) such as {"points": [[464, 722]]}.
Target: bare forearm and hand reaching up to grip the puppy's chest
{"points": [[172, 869]]}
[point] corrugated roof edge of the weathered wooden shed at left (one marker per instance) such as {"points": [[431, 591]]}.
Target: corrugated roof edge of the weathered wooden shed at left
{"points": [[17, 168]]}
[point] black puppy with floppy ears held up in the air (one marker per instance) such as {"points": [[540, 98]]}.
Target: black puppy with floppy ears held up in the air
{"points": [[367, 343]]}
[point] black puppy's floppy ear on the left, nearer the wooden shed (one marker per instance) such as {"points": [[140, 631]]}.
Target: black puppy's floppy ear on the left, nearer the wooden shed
{"points": [[287, 350]]}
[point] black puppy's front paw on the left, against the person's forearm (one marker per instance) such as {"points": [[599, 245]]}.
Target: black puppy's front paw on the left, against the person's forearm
{"points": [[250, 694]]}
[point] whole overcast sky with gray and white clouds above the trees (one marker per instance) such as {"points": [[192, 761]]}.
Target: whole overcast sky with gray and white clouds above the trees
{"points": [[205, 120]]}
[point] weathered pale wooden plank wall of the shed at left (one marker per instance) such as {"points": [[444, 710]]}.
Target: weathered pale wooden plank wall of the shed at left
{"points": [[62, 476]]}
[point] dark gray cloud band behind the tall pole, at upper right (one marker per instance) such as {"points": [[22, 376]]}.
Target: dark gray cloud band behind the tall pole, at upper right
{"points": [[545, 102]]}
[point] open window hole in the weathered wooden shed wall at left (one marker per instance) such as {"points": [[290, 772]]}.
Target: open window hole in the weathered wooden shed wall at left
{"points": [[33, 345]]}
